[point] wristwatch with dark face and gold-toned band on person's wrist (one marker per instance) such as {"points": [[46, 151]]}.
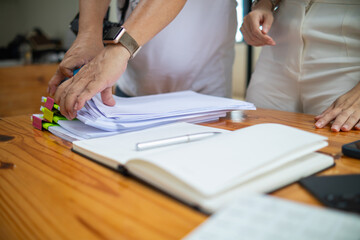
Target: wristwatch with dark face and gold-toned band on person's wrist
{"points": [[116, 35]]}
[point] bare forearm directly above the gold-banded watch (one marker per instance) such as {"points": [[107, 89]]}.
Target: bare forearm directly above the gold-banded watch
{"points": [[150, 17]]}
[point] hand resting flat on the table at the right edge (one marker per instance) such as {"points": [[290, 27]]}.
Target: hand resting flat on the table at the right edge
{"points": [[345, 112]]}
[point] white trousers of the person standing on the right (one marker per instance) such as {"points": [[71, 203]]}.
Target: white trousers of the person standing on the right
{"points": [[315, 60]]}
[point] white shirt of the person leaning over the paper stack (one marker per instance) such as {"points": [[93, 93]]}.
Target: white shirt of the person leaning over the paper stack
{"points": [[194, 52]]}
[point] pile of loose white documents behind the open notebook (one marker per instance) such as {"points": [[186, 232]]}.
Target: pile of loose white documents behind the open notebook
{"points": [[135, 113]]}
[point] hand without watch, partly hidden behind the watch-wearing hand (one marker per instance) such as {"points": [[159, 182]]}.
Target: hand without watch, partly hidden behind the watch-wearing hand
{"points": [[82, 51]]}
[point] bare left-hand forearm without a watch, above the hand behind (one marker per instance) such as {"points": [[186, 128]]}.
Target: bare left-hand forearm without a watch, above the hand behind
{"points": [[91, 17]]}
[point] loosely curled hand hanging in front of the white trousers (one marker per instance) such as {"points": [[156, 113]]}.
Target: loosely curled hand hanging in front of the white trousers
{"points": [[261, 15]]}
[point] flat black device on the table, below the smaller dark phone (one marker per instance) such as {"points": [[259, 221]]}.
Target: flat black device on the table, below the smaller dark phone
{"points": [[335, 191]]}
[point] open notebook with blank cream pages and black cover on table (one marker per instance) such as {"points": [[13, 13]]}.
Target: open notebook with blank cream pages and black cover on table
{"points": [[208, 173]]}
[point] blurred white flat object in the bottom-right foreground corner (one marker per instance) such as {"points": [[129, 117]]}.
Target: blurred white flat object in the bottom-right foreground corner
{"points": [[261, 217]]}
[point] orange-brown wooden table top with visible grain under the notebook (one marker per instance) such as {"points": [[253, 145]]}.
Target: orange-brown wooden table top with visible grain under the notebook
{"points": [[53, 193]]}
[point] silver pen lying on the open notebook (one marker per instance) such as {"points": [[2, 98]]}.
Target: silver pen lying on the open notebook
{"points": [[173, 140]]}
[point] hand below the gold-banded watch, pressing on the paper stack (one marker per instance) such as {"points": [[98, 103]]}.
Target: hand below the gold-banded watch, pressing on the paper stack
{"points": [[98, 75]]}
